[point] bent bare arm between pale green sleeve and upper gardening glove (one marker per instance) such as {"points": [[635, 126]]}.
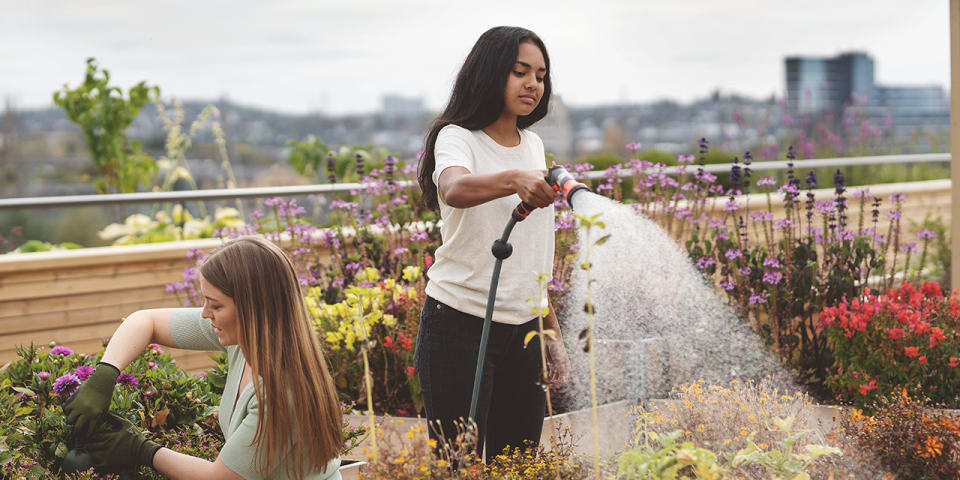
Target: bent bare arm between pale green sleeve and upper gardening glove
{"points": [[140, 329]]}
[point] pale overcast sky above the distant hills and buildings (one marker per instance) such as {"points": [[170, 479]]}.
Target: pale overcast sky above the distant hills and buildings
{"points": [[302, 56]]}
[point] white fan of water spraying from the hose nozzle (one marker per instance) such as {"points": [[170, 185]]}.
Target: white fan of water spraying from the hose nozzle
{"points": [[658, 323]]}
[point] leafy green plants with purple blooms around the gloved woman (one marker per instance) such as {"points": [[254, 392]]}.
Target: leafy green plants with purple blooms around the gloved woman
{"points": [[175, 408]]}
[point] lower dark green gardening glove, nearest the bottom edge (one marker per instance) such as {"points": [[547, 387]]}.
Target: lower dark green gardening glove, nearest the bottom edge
{"points": [[121, 444]]}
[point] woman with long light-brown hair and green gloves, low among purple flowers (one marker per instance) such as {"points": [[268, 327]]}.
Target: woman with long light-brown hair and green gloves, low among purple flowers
{"points": [[279, 412]]}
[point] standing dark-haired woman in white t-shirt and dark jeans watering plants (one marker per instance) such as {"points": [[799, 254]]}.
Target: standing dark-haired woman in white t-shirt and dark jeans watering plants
{"points": [[478, 163]]}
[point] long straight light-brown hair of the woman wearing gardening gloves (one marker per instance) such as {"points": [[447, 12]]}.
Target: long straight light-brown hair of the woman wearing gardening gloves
{"points": [[297, 398]]}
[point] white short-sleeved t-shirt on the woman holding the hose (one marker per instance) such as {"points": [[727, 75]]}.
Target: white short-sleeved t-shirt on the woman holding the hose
{"points": [[460, 275]]}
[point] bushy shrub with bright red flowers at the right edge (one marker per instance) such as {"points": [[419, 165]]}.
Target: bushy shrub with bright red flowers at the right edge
{"points": [[904, 339]]}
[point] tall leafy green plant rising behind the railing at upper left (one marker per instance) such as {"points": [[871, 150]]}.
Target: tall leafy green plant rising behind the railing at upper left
{"points": [[102, 113]]}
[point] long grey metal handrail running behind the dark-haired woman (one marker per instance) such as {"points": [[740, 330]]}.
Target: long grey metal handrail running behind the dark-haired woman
{"points": [[326, 189]]}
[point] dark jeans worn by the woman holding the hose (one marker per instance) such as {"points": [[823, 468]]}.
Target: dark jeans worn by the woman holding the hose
{"points": [[511, 405]]}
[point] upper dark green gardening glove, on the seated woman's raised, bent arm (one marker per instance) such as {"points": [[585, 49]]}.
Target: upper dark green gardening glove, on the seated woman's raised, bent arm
{"points": [[84, 408]]}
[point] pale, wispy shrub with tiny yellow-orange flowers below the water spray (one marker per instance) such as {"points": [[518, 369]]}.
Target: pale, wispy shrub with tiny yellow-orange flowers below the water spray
{"points": [[753, 430]]}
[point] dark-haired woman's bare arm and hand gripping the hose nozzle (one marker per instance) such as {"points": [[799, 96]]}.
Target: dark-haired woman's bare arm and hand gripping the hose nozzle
{"points": [[461, 189]]}
